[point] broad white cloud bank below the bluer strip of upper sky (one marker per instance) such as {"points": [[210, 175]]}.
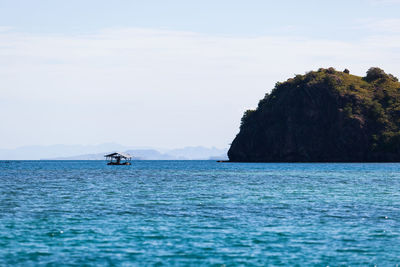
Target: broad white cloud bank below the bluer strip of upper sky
{"points": [[155, 87]]}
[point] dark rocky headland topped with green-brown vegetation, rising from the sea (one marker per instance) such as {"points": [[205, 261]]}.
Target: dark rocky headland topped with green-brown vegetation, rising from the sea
{"points": [[324, 116]]}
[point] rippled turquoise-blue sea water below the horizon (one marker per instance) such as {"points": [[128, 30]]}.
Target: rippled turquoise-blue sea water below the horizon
{"points": [[198, 213]]}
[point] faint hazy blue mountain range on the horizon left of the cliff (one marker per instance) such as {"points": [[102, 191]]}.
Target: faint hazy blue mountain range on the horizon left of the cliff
{"points": [[96, 152]]}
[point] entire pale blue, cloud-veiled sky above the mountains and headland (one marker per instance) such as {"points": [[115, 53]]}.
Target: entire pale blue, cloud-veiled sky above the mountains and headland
{"points": [[170, 73]]}
